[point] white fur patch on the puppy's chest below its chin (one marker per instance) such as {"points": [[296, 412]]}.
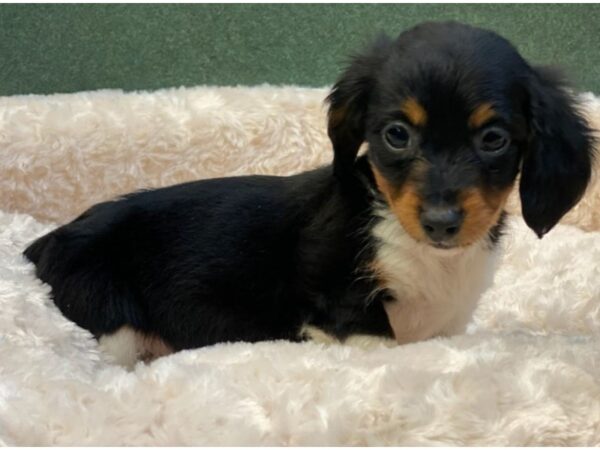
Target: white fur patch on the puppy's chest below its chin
{"points": [[436, 290]]}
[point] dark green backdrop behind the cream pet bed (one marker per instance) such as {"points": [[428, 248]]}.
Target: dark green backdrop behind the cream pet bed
{"points": [[67, 48]]}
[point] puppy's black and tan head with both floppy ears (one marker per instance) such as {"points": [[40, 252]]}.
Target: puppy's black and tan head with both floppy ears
{"points": [[450, 114]]}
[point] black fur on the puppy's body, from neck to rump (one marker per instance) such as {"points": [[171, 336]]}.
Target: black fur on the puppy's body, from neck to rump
{"points": [[247, 258]]}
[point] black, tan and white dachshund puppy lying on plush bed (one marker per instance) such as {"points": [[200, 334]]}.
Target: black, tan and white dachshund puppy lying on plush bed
{"points": [[397, 242]]}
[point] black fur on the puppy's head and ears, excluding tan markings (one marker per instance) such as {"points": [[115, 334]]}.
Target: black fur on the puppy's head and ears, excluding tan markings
{"points": [[451, 68]]}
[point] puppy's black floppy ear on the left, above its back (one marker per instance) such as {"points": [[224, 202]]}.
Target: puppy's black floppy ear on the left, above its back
{"points": [[348, 102]]}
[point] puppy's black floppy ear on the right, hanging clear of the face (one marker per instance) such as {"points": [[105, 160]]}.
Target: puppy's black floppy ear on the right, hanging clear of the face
{"points": [[557, 163]]}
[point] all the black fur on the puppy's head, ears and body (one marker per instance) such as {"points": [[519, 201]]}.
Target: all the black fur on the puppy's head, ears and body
{"points": [[257, 257]]}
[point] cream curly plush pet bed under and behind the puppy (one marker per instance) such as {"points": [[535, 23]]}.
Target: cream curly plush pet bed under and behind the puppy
{"points": [[526, 373]]}
